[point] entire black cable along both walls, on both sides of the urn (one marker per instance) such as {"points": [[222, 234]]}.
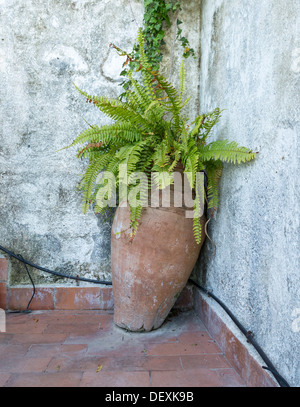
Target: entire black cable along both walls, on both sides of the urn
{"points": [[248, 334]]}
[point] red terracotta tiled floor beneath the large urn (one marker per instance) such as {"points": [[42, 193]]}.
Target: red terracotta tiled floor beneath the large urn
{"points": [[85, 349]]}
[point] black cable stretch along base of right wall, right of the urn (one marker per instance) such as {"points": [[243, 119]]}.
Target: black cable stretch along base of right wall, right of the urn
{"points": [[248, 334]]}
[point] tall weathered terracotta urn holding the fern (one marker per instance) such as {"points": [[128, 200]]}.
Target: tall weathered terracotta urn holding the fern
{"points": [[150, 270]]}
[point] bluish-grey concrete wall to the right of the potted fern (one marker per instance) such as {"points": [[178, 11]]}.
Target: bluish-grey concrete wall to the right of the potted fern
{"points": [[250, 66]]}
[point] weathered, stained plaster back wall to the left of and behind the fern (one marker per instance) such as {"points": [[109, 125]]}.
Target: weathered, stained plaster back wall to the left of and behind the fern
{"points": [[45, 46]]}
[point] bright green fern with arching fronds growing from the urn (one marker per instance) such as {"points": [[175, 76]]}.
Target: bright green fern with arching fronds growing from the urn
{"points": [[151, 134]]}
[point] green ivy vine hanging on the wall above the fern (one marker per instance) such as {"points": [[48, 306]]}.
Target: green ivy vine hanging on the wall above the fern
{"points": [[157, 19]]}
